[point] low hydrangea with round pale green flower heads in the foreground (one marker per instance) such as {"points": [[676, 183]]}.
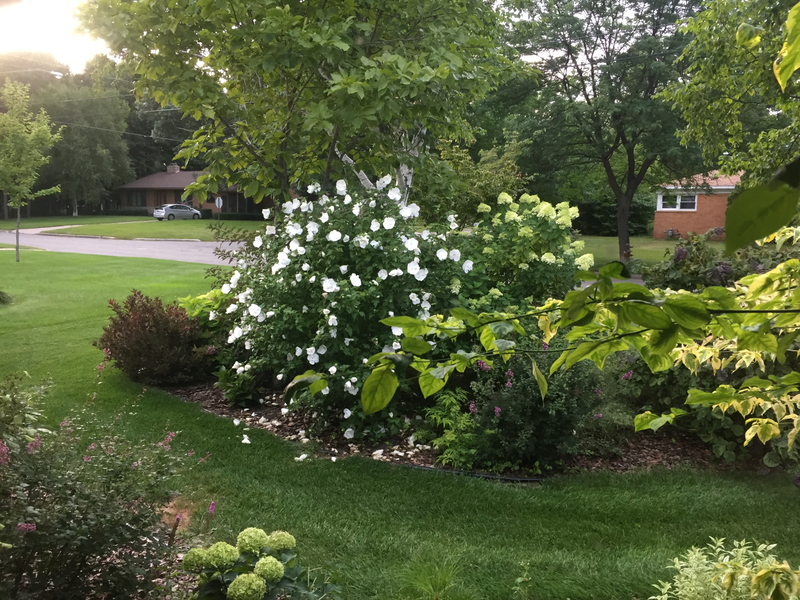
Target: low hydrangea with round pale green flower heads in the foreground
{"points": [[258, 565]]}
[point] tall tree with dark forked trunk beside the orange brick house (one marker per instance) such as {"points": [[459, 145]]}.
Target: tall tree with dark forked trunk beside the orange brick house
{"points": [[603, 64]]}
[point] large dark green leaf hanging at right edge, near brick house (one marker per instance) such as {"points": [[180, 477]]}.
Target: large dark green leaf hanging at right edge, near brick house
{"points": [[758, 212]]}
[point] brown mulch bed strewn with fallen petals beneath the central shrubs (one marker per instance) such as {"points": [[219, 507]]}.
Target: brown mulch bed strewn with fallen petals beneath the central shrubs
{"points": [[663, 449]]}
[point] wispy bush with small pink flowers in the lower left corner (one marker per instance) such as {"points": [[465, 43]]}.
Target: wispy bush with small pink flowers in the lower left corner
{"points": [[80, 506]]}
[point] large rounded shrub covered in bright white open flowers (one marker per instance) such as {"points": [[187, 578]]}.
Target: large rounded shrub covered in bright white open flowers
{"points": [[309, 291]]}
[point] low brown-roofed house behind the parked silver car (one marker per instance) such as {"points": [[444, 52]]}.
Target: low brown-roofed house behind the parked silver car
{"points": [[168, 186]]}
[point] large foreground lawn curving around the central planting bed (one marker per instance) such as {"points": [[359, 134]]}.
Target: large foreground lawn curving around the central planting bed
{"points": [[595, 536]]}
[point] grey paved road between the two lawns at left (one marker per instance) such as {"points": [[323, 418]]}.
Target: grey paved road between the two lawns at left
{"points": [[196, 252]]}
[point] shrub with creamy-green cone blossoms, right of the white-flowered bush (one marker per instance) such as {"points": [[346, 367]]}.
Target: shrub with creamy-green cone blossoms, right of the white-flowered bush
{"points": [[527, 251]]}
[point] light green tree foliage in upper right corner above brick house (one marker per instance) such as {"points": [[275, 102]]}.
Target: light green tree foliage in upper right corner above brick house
{"points": [[733, 105]]}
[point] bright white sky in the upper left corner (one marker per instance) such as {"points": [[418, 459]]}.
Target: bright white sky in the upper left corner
{"points": [[46, 26]]}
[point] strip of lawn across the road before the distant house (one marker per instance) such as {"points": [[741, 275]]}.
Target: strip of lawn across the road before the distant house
{"points": [[183, 229]]}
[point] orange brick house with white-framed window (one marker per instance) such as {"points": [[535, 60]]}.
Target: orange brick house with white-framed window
{"points": [[693, 206]]}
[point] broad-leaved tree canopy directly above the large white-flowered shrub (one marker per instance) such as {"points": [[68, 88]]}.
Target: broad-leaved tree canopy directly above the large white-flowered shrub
{"points": [[295, 90]]}
